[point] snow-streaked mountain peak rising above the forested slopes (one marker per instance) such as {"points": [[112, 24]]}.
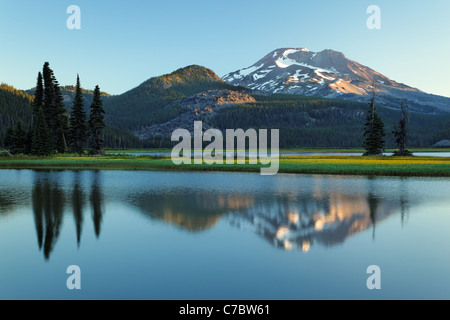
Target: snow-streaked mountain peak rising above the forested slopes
{"points": [[329, 74]]}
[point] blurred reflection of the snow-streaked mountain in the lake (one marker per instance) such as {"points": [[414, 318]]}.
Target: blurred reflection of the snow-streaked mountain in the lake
{"points": [[328, 220]]}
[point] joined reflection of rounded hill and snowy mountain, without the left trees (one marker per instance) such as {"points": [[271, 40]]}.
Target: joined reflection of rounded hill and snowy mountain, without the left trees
{"points": [[287, 220]]}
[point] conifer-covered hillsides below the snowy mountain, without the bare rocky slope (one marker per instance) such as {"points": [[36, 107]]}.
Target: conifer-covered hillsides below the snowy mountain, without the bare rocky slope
{"points": [[303, 121]]}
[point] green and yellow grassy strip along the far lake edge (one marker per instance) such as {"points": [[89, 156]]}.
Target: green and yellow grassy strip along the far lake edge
{"points": [[339, 165]]}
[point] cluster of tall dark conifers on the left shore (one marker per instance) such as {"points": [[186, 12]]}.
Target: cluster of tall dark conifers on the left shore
{"points": [[52, 129]]}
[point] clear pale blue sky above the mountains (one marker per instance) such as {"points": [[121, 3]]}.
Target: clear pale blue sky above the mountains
{"points": [[123, 43]]}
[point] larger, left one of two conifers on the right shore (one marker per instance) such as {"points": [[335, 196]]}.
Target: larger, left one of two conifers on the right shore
{"points": [[374, 132]]}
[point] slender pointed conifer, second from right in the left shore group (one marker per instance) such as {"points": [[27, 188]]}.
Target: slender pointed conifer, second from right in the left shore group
{"points": [[78, 128]]}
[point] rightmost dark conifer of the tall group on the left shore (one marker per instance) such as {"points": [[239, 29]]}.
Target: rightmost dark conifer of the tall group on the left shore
{"points": [[96, 124]]}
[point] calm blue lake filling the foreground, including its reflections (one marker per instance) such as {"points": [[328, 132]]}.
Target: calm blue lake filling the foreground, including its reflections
{"points": [[208, 235]]}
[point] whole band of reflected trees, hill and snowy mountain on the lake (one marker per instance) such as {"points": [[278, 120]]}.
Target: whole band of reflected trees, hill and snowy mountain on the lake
{"points": [[288, 218]]}
